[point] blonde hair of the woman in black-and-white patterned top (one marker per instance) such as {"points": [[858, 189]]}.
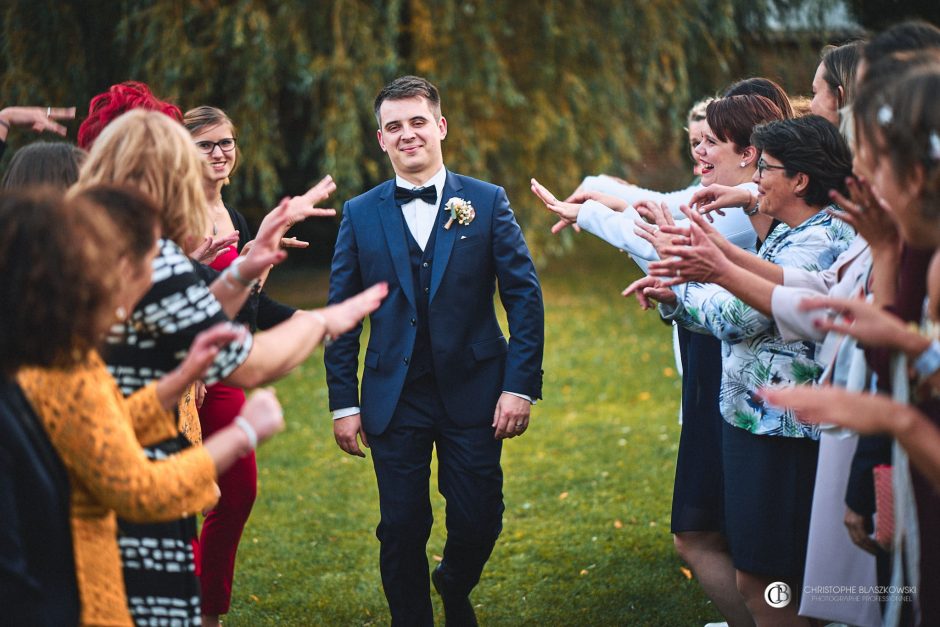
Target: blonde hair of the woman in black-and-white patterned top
{"points": [[155, 154]]}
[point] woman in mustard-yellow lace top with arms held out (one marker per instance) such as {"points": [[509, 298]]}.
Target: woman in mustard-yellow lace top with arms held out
{"points": [[96, 431]]}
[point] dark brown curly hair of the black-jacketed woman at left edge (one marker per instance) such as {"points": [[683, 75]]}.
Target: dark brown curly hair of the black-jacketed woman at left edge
{"points": [[57, 277]]}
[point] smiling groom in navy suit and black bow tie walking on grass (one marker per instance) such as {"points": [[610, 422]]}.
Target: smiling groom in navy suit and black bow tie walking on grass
{"points": [[438, 369]]}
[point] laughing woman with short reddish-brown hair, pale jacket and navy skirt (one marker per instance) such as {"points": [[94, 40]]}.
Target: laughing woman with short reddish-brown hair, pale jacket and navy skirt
{"points": [[698, 512]]}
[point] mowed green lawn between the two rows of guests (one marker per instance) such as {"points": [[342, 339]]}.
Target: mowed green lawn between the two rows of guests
{"points": [[588, 488]]}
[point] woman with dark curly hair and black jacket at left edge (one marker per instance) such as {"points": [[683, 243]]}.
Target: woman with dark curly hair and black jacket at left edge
{"points": [[37, 569]]}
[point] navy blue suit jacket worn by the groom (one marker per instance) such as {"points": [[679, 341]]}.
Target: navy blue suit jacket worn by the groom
{"points": [[473, 363]]}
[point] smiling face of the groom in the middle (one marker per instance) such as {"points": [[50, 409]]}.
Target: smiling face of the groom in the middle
{"points": [[411, 135]]}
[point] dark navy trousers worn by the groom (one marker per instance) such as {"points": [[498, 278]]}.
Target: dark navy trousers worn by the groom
{"points": [[469, 478]]}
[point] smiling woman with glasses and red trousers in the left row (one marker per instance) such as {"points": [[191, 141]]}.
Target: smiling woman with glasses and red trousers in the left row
{"points": [[215, 138]]}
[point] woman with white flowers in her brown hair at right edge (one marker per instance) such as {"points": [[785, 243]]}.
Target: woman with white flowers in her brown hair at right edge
{"points": [[899, 139]]}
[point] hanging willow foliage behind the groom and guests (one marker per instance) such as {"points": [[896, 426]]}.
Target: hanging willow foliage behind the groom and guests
{"points": [[554, 89]]}
